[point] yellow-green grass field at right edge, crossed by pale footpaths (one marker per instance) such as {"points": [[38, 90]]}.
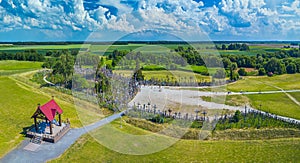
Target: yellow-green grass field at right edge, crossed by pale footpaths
{"points": [[278, 103]]}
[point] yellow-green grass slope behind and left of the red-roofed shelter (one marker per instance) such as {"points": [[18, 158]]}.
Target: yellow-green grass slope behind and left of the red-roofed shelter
{"points": [[18, 101]]}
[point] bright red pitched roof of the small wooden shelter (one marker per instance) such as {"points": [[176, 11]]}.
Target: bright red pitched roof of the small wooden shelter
{"points": [[49, 109]]}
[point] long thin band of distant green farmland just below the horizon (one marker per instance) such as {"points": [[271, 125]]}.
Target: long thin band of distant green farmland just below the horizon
{"points": [[144, 48]]}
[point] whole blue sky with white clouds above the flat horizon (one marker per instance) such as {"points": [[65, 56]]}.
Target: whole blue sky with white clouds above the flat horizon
{"points": [[111, 20]]}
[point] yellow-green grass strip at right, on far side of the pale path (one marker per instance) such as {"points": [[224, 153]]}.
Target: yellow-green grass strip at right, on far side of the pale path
{"points": [[255, 84]]}
